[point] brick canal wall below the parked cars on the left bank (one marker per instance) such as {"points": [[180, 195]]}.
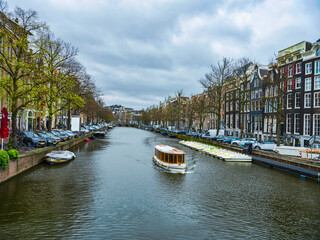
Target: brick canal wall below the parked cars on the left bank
{"points": [[35, 157]]}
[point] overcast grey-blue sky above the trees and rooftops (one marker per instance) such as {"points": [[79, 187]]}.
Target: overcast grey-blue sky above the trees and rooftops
{"points": [[141, 51]]}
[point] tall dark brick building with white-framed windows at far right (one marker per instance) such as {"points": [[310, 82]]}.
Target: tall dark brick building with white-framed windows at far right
{"points": [[300, 68]]}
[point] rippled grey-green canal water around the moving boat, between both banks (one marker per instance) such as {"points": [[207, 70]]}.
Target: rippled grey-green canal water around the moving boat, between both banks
{"points": [[113, 191]]}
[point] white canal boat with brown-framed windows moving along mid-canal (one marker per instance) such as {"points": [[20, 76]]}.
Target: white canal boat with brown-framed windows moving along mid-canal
{"points": [[170, 158]]}
